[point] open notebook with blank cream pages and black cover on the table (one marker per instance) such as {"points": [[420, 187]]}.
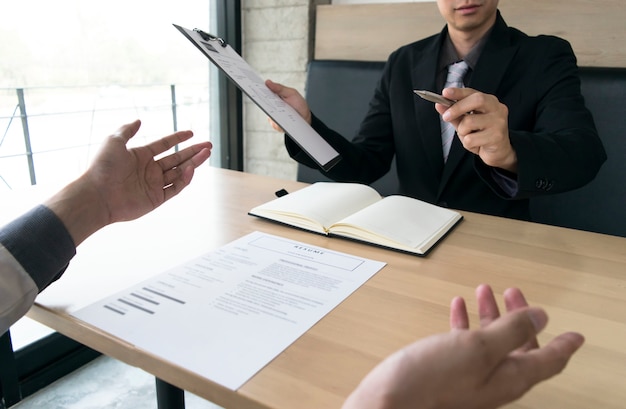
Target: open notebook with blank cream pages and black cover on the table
{"points": [[356, 211]]}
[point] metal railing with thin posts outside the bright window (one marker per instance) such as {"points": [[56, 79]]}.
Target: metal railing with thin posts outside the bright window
{"points": [[61, 126]]}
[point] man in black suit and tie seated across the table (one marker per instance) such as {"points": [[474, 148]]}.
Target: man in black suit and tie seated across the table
{"points": [[522, 128]]}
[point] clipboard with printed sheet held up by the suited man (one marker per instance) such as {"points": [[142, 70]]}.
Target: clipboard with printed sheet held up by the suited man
{"points": [[250, 83]]}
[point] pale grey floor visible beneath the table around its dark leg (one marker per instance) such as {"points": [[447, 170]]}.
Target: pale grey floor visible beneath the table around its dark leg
{"points": [[104, 383]]}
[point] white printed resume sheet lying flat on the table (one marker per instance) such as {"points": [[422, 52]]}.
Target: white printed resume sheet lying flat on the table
{"points": [[228, 313]]}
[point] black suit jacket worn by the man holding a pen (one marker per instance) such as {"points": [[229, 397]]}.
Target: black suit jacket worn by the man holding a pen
{"points": [[550, 128]]}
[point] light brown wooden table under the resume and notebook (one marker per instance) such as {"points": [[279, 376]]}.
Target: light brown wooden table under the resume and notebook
{"points": [[578, 277]]}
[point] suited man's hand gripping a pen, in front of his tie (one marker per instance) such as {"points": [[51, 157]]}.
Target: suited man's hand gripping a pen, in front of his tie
{"points": [[486, 132]]}
